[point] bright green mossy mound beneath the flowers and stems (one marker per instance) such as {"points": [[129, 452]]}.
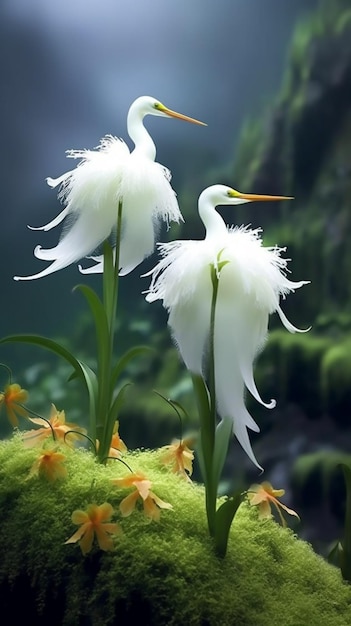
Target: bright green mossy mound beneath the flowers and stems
{"points": [[159, 573]]}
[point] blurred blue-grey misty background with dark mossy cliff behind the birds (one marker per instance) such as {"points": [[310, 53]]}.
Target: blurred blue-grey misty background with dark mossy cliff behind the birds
{"points": [[273, 82]]}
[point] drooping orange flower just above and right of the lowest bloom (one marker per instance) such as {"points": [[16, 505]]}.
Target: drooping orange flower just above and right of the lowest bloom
{"points": [[152, 504]]}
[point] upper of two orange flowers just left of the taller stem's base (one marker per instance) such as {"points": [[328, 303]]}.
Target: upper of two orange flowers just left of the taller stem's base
{"points": [[59, 427]]}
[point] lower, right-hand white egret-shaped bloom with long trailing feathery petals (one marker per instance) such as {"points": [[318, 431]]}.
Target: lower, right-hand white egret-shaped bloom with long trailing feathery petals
{"points": [[251, 281]]}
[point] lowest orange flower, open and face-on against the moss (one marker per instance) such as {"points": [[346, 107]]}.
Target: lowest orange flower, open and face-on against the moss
{"points": [[94, 521]]}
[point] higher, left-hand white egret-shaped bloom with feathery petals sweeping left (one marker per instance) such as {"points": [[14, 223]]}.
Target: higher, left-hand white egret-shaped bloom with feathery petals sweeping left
{"points": [[106, 176]]}
